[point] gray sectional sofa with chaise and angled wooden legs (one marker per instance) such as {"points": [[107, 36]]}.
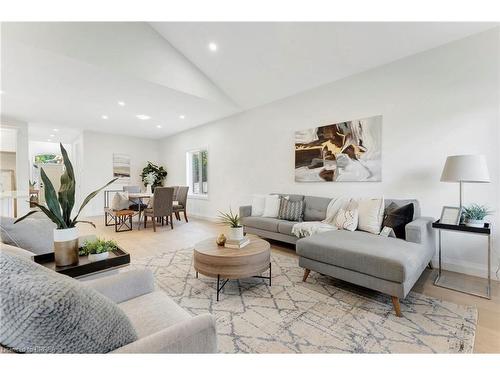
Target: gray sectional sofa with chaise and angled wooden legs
{"points": [[388, 265]]}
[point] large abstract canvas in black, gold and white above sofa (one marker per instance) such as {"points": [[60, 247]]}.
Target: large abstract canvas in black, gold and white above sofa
{"points": [[345, 151]]}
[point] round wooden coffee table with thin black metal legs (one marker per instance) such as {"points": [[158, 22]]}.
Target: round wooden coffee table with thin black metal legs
{"points": [[229, 264]]}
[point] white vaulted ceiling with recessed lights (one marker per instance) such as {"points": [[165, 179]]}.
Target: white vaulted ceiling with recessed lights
{"points": [[70, 74]]}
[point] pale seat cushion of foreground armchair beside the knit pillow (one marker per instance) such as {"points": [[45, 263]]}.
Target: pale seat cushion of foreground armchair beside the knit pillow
{"points": [[153, 312]]}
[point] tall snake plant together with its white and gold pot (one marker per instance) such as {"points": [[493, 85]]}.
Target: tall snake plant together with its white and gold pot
{"points": [[58, 209]]}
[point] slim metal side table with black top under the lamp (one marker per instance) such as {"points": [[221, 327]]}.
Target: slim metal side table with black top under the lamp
{"points": [[443, 281]]}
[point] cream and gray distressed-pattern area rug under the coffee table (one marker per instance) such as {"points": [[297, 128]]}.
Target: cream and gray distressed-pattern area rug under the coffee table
{"points": [[322, 315]]}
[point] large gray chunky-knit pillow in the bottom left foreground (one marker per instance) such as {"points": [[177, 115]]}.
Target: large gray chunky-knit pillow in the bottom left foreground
{"points": [[42, 311]]}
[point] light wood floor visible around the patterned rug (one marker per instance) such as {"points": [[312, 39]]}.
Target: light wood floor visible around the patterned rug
{"points": [[145, 243]]}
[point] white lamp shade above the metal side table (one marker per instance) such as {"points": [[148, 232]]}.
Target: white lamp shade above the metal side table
{"points": [[465, 168]]}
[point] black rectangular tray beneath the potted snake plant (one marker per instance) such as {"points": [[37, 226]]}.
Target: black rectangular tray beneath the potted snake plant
{"points": [[116, 258]]}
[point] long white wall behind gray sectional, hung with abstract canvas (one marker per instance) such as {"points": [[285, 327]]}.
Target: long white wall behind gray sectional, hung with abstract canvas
{"points": [[437, 103]]}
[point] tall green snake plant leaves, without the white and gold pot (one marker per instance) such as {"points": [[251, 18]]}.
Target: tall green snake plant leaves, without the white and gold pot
{"points": [[60, 205]]}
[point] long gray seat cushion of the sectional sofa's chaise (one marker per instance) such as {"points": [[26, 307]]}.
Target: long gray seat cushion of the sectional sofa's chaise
{"points": [[383, 257]]}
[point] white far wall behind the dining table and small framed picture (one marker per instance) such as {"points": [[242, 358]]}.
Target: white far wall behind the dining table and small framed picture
{"points": [[97, 162]]}
